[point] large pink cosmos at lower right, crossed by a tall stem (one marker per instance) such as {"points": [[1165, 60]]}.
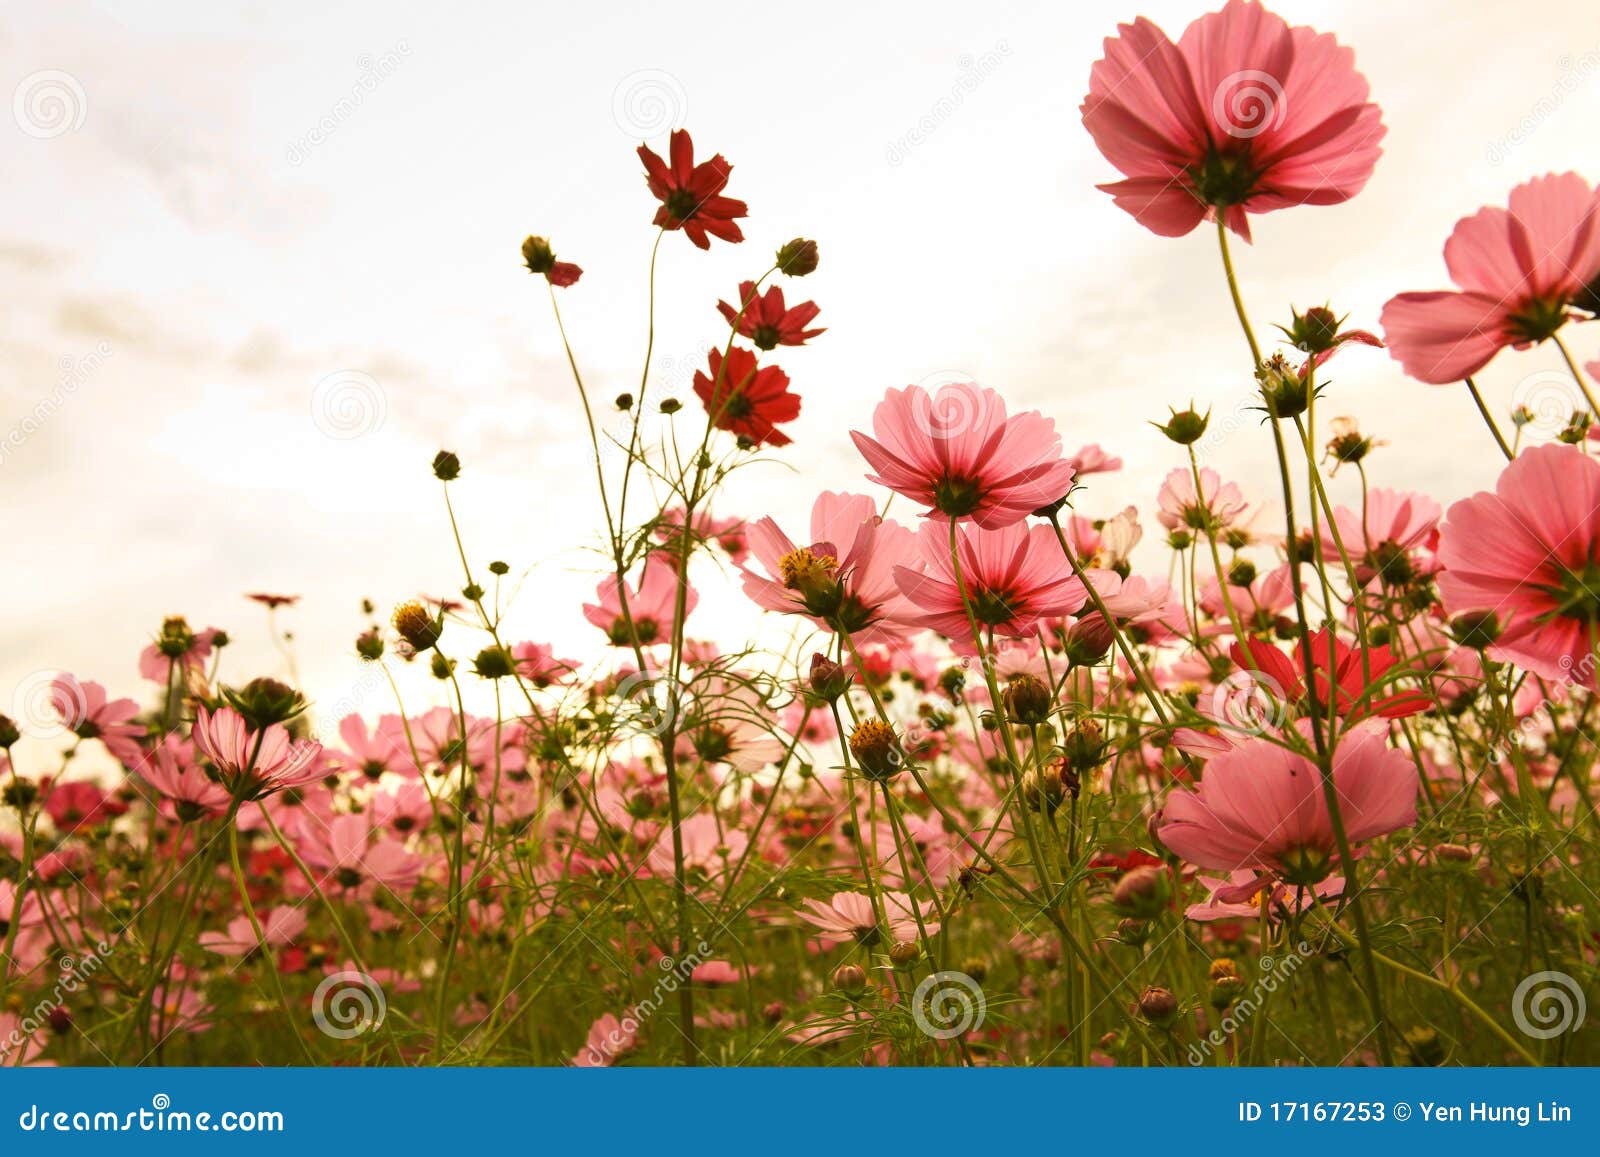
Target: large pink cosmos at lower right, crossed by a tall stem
{"points": [[1263, 807]]}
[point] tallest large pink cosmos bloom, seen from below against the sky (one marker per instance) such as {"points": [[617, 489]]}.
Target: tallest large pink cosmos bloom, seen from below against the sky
{"points": [[1244, 114]]}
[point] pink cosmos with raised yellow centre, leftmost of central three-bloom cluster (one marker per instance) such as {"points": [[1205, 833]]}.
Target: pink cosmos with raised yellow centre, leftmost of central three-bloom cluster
{"points": [[846, 578]]}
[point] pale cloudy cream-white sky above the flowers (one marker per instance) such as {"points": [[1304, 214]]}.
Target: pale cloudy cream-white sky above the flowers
{"points": [[260, 262]]}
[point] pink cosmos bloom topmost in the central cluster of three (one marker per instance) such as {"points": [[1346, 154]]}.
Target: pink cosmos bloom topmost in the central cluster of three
{"points": [[961, 455]]}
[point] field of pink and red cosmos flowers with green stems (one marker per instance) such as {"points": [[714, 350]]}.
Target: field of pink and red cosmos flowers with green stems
{"points": [[1007, 780]]}
